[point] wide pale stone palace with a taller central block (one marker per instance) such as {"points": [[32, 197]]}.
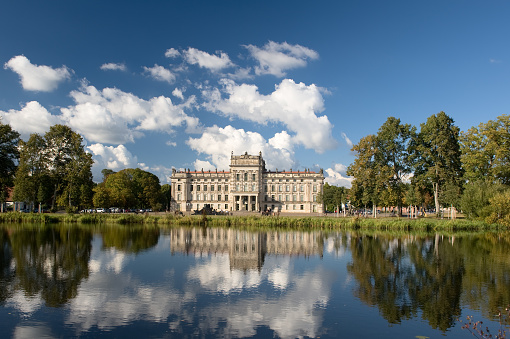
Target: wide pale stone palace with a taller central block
{"points": [[248, 186]]}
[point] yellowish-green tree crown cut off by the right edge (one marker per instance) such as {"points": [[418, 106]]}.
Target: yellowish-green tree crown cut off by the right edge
{"points": [[486, 151]]}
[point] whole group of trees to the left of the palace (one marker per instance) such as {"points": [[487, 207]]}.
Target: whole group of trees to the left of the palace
{"points": [[53, 171]]}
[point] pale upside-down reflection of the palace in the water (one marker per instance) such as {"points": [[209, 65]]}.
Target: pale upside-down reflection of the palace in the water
{"points": [[246, 250]]}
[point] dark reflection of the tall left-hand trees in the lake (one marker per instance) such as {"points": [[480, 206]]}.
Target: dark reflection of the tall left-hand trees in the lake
{"points": [[51, 261]]}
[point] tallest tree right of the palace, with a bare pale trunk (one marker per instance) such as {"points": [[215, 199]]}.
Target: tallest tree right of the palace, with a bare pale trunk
{"points": [[436, 152]]}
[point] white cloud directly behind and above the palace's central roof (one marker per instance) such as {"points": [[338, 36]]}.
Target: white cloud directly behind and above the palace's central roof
{"points": [[217, 144]]}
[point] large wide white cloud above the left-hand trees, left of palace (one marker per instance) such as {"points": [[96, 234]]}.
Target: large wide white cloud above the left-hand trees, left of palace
{"points": [[116, 117]]}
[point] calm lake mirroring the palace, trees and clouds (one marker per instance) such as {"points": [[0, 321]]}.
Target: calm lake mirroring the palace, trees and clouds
{"points": [[118, 281]]}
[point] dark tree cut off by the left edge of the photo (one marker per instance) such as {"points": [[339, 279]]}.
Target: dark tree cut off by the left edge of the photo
{"points": [[9, 155]]}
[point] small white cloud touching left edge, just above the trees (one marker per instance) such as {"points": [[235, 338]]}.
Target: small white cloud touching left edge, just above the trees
{"points": [[32, 118]]}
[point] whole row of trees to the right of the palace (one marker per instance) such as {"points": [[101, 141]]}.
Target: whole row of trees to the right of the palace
{"points": [[433, 167]]}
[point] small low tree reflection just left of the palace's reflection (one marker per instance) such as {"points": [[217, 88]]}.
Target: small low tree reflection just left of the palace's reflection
{"points": [[130, 239]]}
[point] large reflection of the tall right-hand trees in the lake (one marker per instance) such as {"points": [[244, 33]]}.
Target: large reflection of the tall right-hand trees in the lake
{"points": [[402, 276]]}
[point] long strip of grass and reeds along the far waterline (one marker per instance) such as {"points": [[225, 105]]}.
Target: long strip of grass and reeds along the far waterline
{"points": [[424, 224]]}
